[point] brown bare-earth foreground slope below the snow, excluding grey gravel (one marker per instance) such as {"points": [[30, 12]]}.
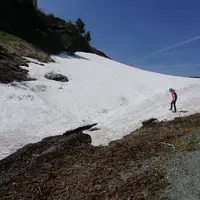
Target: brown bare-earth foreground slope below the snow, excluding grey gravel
{"points": [[77, 170]]}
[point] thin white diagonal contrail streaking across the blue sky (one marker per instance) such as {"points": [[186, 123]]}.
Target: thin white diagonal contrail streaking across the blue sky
{"points": [[168, 48]]}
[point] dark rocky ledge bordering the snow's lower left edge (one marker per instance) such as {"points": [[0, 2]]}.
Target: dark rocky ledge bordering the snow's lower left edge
{"points": [[32, 155]]}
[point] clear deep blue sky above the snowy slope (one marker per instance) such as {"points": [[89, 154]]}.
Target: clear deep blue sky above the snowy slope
{"points": [[130, 30]]}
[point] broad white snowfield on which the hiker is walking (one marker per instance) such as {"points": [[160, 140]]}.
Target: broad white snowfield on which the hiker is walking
{"points": [[100, 90]]}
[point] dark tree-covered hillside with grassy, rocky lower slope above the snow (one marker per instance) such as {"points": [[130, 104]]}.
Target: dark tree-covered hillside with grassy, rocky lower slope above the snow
{"points": [[25, 30]]}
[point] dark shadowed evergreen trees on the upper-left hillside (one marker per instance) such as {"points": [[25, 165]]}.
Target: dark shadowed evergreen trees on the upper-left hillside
{"points": [[51, 34]]}
